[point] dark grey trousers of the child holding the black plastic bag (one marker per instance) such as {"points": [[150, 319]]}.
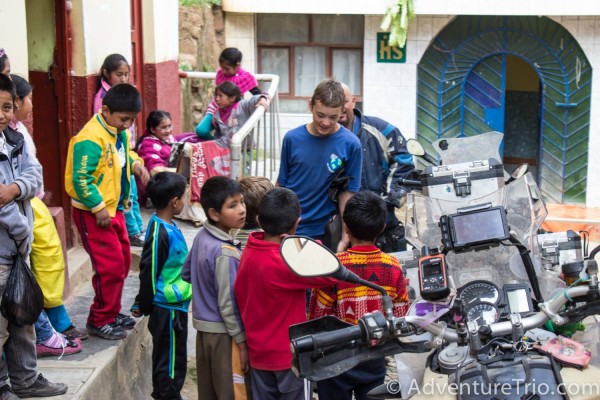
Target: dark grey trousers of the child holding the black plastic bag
{"points": [[18, 344]]}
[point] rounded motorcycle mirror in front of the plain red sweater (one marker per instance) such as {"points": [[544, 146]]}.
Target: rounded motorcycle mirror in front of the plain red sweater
{"points": [[308, 258]]}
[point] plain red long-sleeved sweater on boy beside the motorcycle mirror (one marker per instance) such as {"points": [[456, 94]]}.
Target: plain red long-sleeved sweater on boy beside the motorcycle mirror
{"points": [[270, 298]]}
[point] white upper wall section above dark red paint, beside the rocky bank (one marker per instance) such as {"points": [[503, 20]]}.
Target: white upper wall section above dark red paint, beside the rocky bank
{"points": [[160, 25]]}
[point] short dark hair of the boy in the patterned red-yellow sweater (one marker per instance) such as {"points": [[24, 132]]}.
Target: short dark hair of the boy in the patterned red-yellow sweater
{"points": [[365, 215]]}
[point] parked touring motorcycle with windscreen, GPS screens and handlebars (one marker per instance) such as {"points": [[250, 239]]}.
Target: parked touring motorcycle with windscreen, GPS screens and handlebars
{"points": [[484, 297]]}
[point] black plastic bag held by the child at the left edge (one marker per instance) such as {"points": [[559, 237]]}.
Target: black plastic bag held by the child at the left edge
{"points": [[23, 300]]}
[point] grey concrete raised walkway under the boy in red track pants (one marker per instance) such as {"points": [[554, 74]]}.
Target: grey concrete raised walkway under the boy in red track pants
{"points": [[106, 369]]}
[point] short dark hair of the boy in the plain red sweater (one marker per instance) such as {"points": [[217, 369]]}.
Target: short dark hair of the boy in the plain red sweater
{"points": [[278, 211]]}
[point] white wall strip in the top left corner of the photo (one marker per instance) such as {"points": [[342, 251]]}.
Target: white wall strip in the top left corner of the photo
{"points": [[13, 31]]}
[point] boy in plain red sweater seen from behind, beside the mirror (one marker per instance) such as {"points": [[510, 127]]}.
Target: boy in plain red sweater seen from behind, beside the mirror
{"points": [[271, 297]]}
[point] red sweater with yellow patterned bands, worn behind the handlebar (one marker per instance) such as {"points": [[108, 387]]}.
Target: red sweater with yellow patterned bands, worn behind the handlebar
{"points": [[348, 301]]}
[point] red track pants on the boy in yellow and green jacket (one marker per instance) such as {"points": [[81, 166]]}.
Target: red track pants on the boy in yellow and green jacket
{"points": [[110, 254]]}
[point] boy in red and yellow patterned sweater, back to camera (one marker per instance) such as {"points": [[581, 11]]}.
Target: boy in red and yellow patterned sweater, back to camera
{"points": [[364, 219]]}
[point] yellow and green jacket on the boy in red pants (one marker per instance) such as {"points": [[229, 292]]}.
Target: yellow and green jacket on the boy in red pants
{"points": [[93, 172]]}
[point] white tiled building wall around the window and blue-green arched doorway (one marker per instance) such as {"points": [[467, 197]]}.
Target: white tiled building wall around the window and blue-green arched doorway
{"points": [[390, 90]]}
